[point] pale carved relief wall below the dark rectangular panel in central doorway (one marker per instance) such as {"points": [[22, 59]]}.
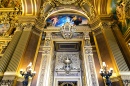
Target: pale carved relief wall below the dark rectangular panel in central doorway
{"points": [[60, 73]]}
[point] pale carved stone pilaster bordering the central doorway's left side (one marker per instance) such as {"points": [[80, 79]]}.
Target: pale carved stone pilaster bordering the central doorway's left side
{"points": [[45, 77]]}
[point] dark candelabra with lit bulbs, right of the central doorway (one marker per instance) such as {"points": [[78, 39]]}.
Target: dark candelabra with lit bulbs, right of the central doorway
{"points": [[104, 72]]}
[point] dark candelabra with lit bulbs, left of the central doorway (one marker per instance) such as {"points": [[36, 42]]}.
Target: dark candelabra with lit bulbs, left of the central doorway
{"points": [[27, 73]]}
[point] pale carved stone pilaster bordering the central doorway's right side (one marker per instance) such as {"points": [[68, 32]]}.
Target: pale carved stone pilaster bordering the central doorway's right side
{"points": [[88, 66]]}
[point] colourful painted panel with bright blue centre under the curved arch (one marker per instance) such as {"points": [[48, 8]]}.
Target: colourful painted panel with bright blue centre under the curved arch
{"points": [[60, 20]]}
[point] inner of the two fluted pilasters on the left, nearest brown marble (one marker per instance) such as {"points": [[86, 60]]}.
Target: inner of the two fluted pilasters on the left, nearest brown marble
{"points": [[19, 51]]}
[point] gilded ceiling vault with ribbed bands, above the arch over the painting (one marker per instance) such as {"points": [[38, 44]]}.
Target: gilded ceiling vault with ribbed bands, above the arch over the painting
{"points": [[100, 7]]}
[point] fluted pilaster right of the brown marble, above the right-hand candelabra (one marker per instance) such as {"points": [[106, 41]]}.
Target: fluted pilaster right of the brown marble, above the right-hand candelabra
{"points": [[122, 66]]}
